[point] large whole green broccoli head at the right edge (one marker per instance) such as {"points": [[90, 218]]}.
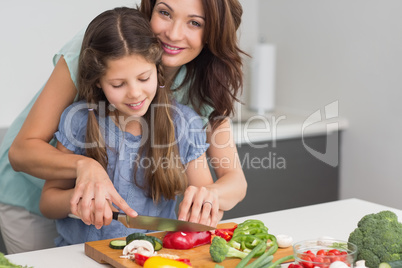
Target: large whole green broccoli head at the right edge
{"points": [[378, 237]]}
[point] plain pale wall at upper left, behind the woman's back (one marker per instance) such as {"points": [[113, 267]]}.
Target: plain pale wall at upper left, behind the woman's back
{"points": [[31, 32]]}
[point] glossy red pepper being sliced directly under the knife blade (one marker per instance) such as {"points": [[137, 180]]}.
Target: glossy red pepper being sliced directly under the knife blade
{"points": [[186, 240]]}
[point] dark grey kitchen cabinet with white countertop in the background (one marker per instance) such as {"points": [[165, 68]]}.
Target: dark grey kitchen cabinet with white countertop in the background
{"points": [[290, 159]]}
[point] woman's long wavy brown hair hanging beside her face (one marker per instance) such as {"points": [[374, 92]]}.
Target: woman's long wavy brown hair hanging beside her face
{"points": [[215, 76]]}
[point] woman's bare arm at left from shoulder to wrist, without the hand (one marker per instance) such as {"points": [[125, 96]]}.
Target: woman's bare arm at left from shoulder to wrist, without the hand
{"points": [[30, 151]]}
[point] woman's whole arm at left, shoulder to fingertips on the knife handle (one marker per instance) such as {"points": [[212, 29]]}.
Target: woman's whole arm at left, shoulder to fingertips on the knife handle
{"points": [[31, 152]]}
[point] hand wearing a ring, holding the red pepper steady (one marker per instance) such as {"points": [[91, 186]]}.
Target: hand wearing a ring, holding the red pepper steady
{"points": [[200, 205]]}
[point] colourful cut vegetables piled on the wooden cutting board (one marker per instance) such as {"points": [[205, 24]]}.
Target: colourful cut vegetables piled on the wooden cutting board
{"points": [[247, 240]]}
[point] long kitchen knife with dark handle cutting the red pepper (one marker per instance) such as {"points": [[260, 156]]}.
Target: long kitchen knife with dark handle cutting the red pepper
{"points": [[157, 223]]}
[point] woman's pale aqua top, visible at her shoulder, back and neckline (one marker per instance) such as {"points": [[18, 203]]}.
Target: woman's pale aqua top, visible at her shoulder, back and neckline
{"points": [[23, 190]]}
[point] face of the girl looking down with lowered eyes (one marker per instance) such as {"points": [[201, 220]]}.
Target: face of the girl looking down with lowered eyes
{"points": [[130, 84]]}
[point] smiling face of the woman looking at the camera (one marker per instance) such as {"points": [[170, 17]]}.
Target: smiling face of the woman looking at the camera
{"points": [[179, 25]]}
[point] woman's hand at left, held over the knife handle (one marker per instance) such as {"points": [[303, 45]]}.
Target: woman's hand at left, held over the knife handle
{"points": [[93, 192]]}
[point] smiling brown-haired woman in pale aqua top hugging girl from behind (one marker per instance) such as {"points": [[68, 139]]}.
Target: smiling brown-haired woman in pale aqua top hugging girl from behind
{"points": [[203, 58]]}
